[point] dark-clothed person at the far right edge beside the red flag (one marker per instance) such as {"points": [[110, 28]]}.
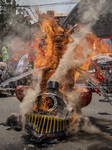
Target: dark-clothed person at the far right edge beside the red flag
{"points": [[108, 78]]}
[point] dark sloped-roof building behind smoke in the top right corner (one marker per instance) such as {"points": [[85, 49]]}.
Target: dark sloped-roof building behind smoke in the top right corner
{"points": [[96, 13]]}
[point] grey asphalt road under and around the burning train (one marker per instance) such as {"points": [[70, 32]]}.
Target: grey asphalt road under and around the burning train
{"points": [[99, 111]]}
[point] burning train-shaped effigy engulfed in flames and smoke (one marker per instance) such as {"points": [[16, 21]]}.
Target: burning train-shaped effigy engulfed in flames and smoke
{"points": [[51, 107]]}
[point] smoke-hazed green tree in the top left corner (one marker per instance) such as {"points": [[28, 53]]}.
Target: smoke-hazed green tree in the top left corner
{"points": [[13, 21]]}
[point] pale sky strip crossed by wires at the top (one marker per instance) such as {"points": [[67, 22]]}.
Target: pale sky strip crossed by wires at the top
{"points": [[58, 8]]}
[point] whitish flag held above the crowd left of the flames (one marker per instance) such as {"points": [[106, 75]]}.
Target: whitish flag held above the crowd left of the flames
{"points": [[23, 63]]}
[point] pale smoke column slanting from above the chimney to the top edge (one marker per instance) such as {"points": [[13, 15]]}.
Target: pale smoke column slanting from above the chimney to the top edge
{"points": [[91, 12]]}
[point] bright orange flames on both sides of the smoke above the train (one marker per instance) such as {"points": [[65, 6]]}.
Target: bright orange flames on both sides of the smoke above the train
{"points": [[52, 43]]}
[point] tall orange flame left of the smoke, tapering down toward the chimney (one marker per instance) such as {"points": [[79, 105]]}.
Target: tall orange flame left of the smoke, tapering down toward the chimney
{"points": [[51, 47]]}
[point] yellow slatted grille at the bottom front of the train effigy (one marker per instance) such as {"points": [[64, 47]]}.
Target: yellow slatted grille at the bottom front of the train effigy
{"points": [[45, 124]]}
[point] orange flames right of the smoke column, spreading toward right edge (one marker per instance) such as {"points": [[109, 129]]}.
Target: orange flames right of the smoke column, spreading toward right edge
{"points": [[96, 46]]}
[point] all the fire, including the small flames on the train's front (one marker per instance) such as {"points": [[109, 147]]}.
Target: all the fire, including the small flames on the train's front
{"points": [[52, 44]]}
